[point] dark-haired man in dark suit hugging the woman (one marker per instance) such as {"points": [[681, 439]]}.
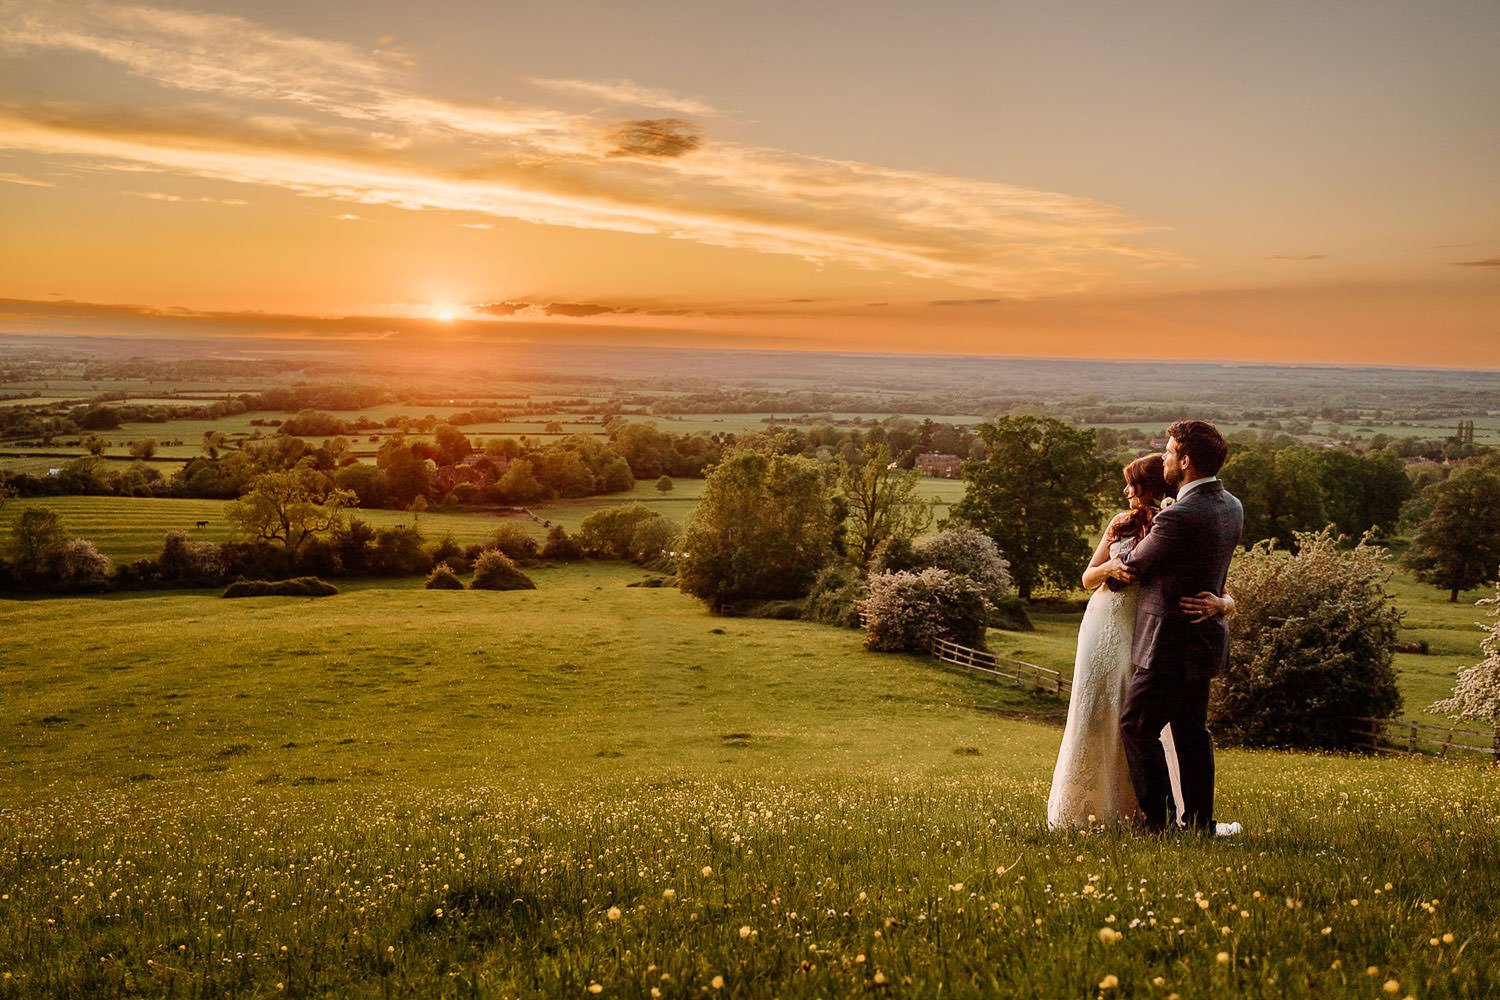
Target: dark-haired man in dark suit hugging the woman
{"points": [[1186, 554]]}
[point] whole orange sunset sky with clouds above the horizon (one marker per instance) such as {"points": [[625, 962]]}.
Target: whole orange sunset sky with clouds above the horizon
{"points": [[1291, 182]]}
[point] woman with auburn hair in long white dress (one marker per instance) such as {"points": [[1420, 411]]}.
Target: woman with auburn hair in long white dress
{"points": [[1091, 783]]}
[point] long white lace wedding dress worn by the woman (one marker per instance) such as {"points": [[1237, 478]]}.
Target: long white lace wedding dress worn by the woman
{"points": [[1091, 782]]}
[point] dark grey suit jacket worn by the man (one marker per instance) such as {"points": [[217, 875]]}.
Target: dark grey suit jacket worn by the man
{"points": [[1186, 552]]}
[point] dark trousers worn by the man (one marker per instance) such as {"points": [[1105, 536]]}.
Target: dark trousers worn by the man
{"points": [[1154, 702]]}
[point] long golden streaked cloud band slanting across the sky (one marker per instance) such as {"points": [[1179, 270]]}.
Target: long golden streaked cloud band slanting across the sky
{"points": [[329, 121]]}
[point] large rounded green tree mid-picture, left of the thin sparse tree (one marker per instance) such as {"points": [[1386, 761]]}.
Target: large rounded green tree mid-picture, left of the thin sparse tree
{"points": [[763, 530]]}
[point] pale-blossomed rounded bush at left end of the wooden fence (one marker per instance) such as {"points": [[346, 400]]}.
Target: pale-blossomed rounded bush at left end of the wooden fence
{"points": [[911, 611]]}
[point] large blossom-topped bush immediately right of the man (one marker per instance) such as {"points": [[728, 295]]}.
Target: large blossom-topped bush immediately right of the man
{"points": [[1312, 645]]}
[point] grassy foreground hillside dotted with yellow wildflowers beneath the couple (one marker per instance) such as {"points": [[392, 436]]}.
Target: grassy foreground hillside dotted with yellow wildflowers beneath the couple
{"points": [[592, 789]]}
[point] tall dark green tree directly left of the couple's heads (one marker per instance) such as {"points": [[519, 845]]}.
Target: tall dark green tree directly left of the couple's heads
{"points": [[1036, 494]]}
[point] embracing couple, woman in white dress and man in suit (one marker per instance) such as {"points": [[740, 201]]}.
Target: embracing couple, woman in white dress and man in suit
{"points": [[1138, 746]]}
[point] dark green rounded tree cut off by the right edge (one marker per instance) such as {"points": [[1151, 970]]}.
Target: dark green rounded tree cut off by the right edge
{"points": [[1457, 543]]}
